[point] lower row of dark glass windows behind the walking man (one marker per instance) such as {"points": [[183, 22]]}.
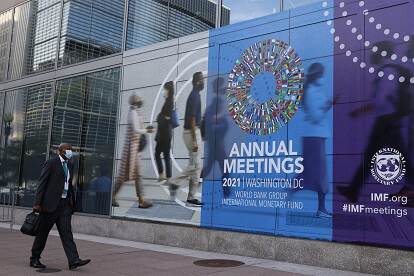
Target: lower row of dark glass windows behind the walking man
{"points": [[82, 111]]}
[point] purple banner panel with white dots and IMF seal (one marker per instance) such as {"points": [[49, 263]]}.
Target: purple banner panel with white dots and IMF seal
{"points": [[373, 123]]}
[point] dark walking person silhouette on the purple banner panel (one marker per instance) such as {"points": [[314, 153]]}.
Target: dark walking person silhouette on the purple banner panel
{"points": [[392, 106]]}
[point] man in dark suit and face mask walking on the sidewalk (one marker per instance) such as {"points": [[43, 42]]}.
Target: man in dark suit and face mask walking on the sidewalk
{"points": [[55, 200]]}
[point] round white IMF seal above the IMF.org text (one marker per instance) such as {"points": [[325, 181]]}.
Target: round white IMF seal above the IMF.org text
{"points": [[388, 166]]}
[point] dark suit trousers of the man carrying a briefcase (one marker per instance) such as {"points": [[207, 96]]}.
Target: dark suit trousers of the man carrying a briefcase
{"points": [[62, 217]]}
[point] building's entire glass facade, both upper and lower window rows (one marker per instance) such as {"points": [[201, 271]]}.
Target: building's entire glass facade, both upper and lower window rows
{"points": [[40, 37]]}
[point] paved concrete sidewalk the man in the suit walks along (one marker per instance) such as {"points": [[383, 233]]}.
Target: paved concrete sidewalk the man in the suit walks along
{"points": [[119, 257]]}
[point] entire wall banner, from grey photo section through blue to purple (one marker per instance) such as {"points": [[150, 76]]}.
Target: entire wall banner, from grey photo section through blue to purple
{"points": [[296, 124]]}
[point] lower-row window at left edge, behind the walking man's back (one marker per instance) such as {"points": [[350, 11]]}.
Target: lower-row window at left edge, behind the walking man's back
{"points": [[24, 136]]}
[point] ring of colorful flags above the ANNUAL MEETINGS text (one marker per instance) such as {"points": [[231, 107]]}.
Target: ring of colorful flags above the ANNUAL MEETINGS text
{"points": [[264, 117]]}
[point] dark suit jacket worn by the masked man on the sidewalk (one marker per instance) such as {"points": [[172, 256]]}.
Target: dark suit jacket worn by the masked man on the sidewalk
{"points": [[51, 185]]}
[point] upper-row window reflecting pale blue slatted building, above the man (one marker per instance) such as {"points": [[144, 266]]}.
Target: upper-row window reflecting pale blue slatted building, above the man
{"points": [[90, 29]]}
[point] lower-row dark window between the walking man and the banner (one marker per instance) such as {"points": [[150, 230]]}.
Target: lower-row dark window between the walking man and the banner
{"points": [[85, 113]]}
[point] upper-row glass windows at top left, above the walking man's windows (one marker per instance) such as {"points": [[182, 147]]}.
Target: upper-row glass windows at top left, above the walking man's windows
{"points": [[44, 35]]}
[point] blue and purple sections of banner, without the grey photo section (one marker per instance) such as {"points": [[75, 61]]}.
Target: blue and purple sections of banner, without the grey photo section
{"points": [[309, 124]]}
